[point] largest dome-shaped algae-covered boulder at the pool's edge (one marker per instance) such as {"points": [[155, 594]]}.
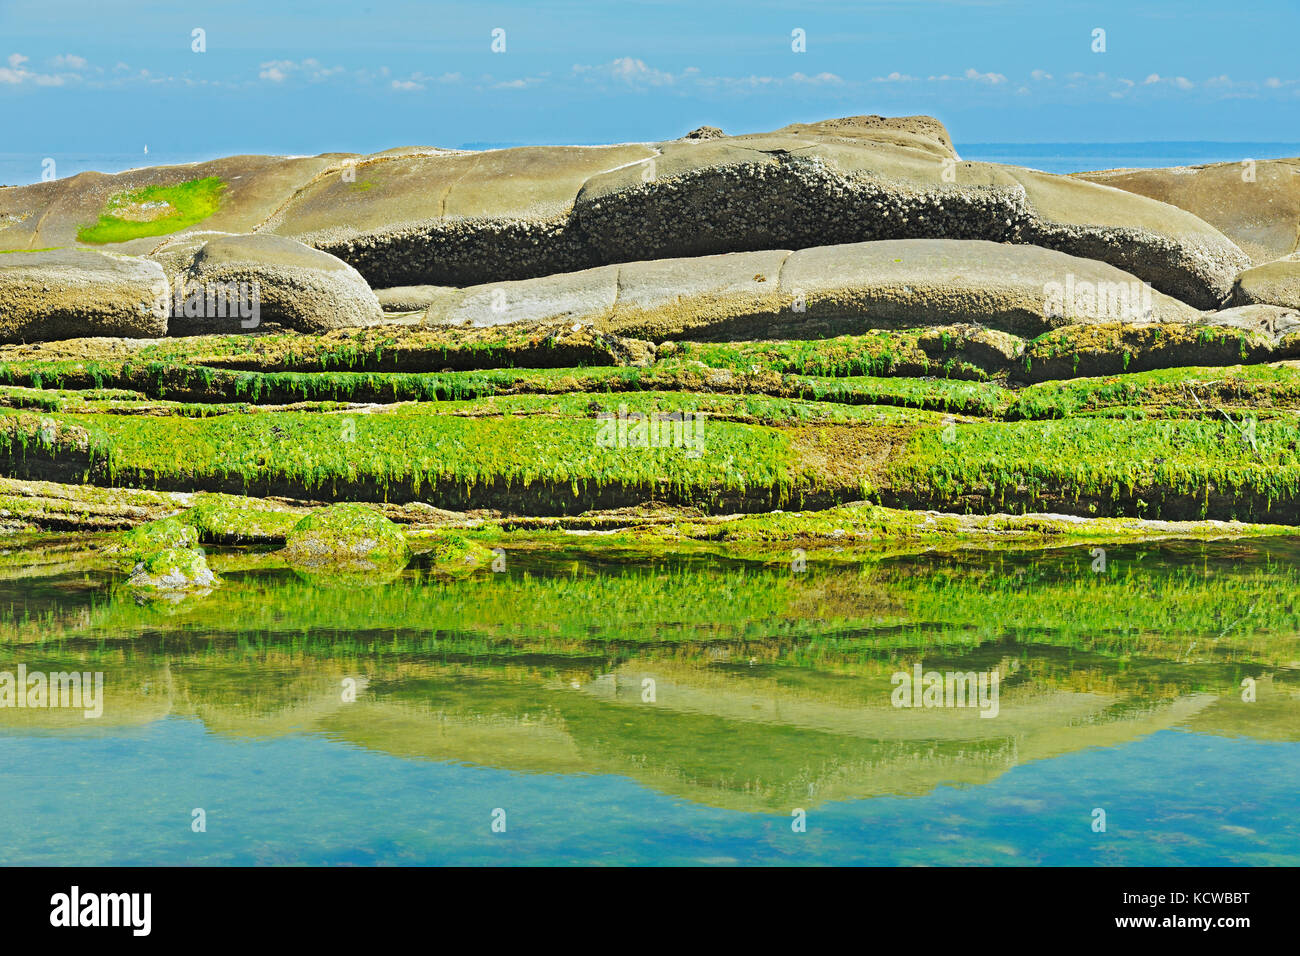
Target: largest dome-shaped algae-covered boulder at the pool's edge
{"points": [[348, 535]]}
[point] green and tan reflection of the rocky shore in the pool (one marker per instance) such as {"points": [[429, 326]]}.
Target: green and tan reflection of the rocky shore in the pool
{"points": [[720, 686]]}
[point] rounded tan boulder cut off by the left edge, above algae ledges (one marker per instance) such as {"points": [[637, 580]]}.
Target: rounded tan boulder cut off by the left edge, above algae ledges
{"points": [[68, 293]]}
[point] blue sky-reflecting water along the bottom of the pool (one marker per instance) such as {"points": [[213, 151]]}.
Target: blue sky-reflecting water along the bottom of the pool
{"points": [[1177, 798]]}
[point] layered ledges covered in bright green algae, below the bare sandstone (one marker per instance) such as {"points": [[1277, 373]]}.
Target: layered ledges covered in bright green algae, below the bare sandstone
{"points": [[720, 429]]}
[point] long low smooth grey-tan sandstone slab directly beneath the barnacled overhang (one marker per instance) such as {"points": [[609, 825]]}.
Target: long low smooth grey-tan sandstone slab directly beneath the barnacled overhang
{"points": [[825, 291]]}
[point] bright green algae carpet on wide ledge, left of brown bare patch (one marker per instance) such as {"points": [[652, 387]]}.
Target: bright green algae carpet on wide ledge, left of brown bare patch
{"points": [[410, 448]]}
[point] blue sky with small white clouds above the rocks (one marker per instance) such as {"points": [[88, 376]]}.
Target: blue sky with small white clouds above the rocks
{"points": [[358, 76]]}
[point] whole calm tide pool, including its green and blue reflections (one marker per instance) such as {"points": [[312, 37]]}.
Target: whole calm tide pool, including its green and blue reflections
{"points": [[769, 690]]}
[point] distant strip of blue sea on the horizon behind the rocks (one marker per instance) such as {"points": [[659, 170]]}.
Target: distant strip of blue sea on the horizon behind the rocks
{"points": [[18, 170]]}
